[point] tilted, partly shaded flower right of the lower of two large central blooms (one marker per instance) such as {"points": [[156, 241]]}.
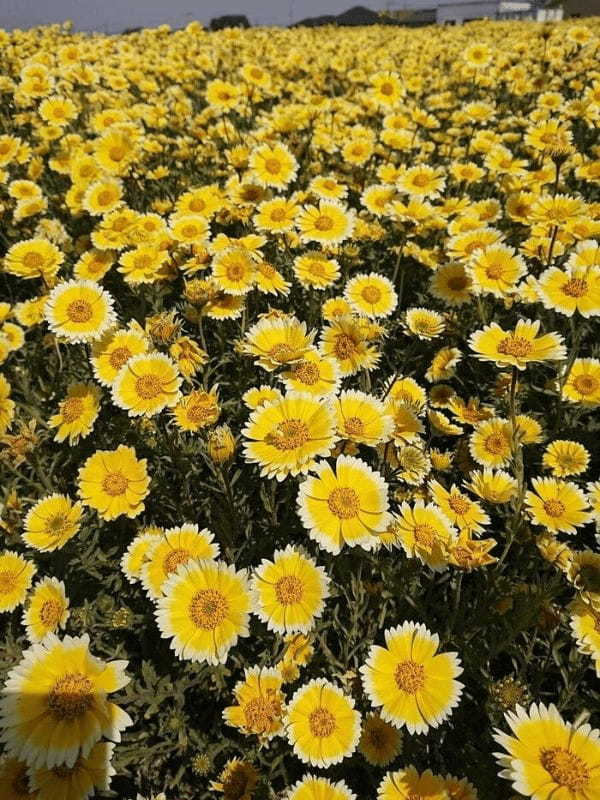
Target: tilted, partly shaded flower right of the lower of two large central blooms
{"points": [[425, 533]]}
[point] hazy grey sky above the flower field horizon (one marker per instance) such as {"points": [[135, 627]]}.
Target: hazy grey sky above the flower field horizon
{"points": [[113, 16]]}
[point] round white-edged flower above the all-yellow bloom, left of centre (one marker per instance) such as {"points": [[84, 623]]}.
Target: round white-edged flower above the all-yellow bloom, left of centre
{"points": [[146, 384]]}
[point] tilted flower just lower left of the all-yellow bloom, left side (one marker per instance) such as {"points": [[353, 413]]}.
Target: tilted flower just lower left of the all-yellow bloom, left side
{"points": [[51, 522]]}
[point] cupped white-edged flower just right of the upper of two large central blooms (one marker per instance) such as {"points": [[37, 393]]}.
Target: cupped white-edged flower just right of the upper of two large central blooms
{"points": [[363, 418]]}
